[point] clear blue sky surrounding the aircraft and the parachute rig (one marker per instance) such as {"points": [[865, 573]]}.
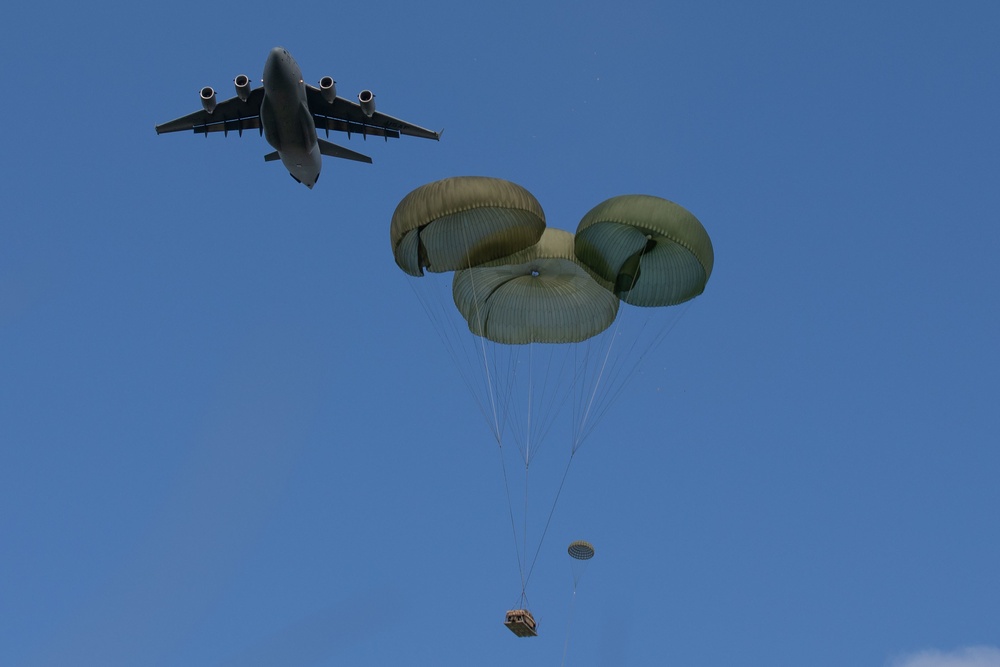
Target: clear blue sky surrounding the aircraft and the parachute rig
{"points": [[229, 434]]}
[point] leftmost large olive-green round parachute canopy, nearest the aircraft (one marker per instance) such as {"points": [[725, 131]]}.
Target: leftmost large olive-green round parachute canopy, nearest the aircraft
{"points": [[463, 221]]}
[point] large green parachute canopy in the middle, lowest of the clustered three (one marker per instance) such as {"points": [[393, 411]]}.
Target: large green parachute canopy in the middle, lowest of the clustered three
{"points": [[539, 295]]}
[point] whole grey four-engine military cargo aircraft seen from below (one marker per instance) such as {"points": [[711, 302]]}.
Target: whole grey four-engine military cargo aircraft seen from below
{"points": [[288, 112]]}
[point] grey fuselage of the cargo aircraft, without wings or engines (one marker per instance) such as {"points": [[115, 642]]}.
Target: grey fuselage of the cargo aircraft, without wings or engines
{"points": [[286, 120]]}
